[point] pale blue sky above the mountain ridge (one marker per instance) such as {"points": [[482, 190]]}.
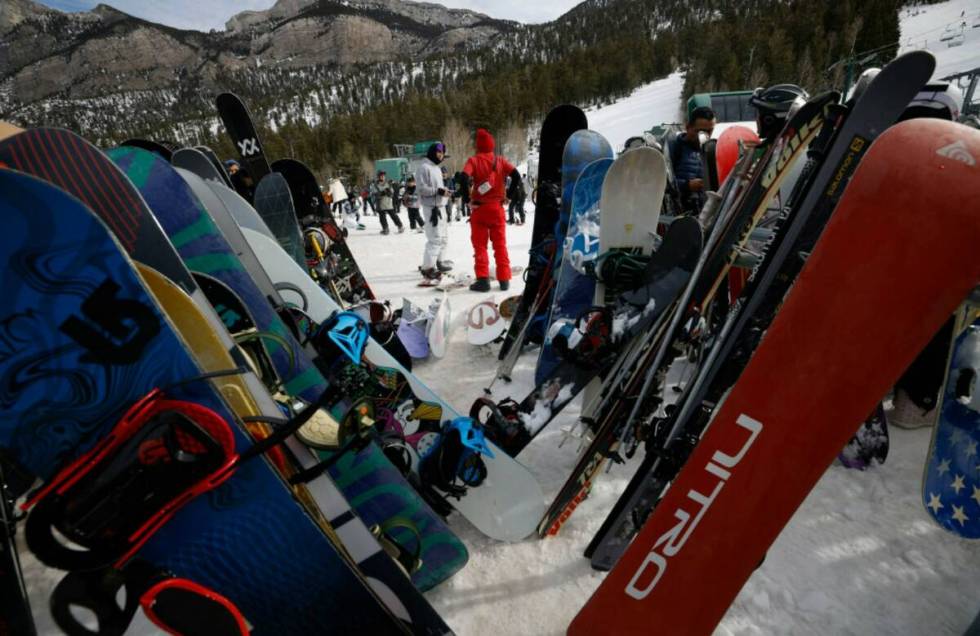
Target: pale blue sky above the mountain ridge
{"points": [[212, 14]]}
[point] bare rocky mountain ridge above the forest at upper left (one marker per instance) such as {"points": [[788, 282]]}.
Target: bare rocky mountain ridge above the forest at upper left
{"points": [[66, 64]]}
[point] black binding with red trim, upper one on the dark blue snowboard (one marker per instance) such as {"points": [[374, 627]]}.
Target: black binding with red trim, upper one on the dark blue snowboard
{"points": [[162, 454]]}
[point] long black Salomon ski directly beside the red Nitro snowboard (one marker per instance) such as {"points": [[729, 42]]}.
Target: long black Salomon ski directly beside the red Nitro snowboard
{"points": [[810, 207]]}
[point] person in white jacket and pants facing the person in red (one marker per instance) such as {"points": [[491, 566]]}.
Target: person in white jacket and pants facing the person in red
{"points": [[433, 198]]}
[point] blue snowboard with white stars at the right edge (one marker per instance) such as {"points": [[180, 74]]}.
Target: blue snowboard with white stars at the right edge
{"points": [[951, 480]]}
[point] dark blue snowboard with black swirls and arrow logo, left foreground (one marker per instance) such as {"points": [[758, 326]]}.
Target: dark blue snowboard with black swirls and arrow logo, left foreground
{"points": [[66, 269]]}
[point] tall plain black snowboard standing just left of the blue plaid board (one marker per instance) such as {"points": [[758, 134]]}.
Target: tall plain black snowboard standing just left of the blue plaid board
{"points": [[559, 124]]}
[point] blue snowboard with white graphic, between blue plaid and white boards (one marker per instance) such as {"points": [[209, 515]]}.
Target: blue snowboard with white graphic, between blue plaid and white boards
{"points": [[574, 291]]}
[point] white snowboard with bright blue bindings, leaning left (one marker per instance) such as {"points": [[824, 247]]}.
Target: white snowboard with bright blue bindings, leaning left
{"points": [[509, 502]]}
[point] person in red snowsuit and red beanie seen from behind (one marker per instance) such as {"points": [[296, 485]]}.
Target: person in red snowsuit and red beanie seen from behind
{"points": [[488, 174]]}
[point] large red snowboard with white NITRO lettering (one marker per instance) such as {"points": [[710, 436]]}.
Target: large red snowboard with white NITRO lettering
{"points": [[904, 237]]}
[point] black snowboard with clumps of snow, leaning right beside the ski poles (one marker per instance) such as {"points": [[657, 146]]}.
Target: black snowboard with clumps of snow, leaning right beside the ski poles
{"points": [[512, 426]]}
